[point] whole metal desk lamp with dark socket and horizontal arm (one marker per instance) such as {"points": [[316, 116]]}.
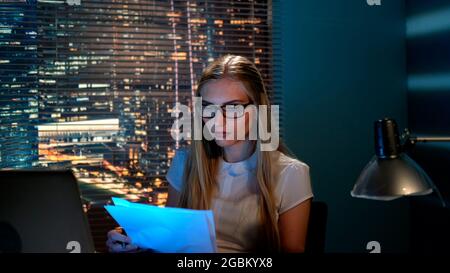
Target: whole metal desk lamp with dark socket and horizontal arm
{"points": [[391, 173]]}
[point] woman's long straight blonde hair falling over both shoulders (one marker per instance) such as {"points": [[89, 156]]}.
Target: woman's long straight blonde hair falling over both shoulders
{"points": [[202, 164]]}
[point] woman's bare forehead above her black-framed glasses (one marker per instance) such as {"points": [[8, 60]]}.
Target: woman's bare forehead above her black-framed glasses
{"points": [[218, 91]]}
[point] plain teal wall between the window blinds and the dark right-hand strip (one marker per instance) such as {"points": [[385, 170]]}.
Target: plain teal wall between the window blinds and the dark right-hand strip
{"points": [[343, 68]]}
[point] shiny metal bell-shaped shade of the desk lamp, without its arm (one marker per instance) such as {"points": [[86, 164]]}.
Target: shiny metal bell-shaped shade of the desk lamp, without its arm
{"points": [[391, 178]]}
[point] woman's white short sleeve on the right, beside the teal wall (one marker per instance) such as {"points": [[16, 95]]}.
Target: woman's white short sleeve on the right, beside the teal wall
{"points": [[295, 185]]}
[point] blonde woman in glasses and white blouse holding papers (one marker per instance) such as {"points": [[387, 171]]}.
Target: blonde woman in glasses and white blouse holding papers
{"points": [[260, 199]]}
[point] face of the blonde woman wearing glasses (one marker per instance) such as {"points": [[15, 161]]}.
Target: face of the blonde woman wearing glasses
{"points": [[226, 92]]}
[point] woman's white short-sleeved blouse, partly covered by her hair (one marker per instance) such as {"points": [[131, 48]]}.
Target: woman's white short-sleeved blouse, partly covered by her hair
{"points": [[236, 206]]}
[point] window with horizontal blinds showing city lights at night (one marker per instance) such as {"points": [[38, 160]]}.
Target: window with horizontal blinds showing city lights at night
{"points": [[88, 84]]}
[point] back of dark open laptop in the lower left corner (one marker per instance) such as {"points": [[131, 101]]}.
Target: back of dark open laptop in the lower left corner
{"points": [[41, 212]]}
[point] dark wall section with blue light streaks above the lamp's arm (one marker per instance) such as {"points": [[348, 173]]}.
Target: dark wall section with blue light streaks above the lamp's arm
{"points": [[428, 66]]}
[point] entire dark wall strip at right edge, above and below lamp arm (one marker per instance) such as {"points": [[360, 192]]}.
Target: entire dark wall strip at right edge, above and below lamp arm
{"points": [[428, 68]]}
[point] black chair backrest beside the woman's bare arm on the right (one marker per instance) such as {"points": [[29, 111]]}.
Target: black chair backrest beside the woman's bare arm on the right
{"points": [[317, 227]]}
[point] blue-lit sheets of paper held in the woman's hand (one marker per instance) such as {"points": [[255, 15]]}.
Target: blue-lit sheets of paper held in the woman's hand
{"points": [[168, 230]]}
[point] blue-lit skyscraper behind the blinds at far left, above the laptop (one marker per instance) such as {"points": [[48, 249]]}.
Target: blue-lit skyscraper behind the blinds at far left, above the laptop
{"points": [[18, 85]]}
